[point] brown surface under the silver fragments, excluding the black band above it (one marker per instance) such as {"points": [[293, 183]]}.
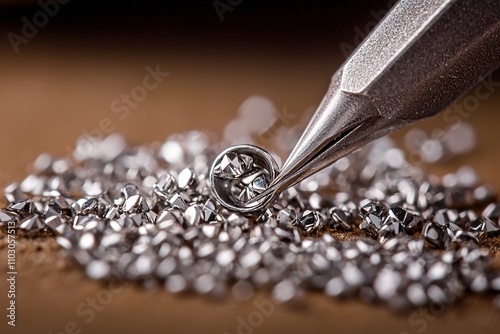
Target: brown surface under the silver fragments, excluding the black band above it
{"points": [[48, 97]]}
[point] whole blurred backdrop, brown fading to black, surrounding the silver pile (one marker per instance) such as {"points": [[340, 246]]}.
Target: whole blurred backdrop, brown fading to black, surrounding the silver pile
{"points": [[61, 81]]}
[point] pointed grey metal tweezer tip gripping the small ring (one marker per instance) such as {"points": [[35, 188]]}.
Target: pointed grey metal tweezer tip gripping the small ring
{"points": [[418, 60]]}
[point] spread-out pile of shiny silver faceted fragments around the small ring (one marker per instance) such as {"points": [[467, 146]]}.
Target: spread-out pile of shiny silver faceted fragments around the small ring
{"points": [[146, 214]]}
